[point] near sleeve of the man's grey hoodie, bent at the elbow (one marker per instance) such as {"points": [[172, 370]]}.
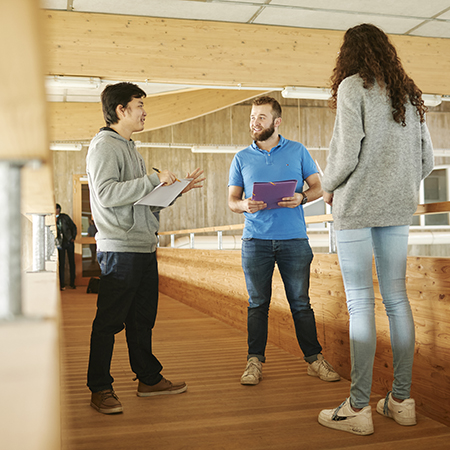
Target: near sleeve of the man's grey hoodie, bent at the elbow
{"points": [[104, 168]]}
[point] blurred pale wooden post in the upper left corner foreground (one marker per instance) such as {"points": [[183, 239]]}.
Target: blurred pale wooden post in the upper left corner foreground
{"points": [[23, 125]]}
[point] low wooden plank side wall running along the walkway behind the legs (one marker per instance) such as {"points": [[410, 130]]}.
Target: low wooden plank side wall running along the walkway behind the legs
{"points": [[213, 282]]}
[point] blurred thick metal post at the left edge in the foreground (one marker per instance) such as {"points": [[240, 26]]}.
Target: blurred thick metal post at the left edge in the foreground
{"points": [[10, 240]]}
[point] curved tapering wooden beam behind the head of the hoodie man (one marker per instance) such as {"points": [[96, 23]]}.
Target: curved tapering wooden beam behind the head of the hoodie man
{"points": [[81, 121]]}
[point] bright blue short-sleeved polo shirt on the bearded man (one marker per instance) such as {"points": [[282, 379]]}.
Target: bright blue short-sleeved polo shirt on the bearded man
{"points": [[287, 161]]}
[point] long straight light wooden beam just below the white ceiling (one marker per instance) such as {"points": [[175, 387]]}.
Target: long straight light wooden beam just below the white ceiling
{"points": [[216, 53]]}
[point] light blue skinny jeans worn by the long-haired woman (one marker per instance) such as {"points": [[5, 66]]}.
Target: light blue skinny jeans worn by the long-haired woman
{"points": [[355, 249]]}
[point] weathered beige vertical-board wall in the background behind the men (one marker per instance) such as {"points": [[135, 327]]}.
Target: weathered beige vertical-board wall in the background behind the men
{"points": [[310, 122]]}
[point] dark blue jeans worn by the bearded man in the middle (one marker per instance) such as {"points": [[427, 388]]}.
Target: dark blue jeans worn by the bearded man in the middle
{"points": [[293, 258]]}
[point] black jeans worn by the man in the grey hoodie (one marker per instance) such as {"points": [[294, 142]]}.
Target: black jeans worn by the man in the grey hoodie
{"points": [[127, 298]]}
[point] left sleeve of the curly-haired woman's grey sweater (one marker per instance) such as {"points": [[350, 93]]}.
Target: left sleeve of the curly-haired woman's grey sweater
{"points": [[348, 134]]}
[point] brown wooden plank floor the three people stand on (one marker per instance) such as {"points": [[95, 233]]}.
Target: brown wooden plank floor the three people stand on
{"points": [[217, 412]]}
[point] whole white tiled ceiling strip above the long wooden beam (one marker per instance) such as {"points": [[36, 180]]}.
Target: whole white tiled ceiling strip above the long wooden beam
{"points": [[417, 17]]}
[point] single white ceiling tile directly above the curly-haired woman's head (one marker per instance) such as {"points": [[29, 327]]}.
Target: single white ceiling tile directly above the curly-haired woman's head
{"points": [[336, 21]]}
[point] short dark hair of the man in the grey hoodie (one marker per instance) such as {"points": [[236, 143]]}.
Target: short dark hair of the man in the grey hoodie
{"points": [[118, 94]]}
